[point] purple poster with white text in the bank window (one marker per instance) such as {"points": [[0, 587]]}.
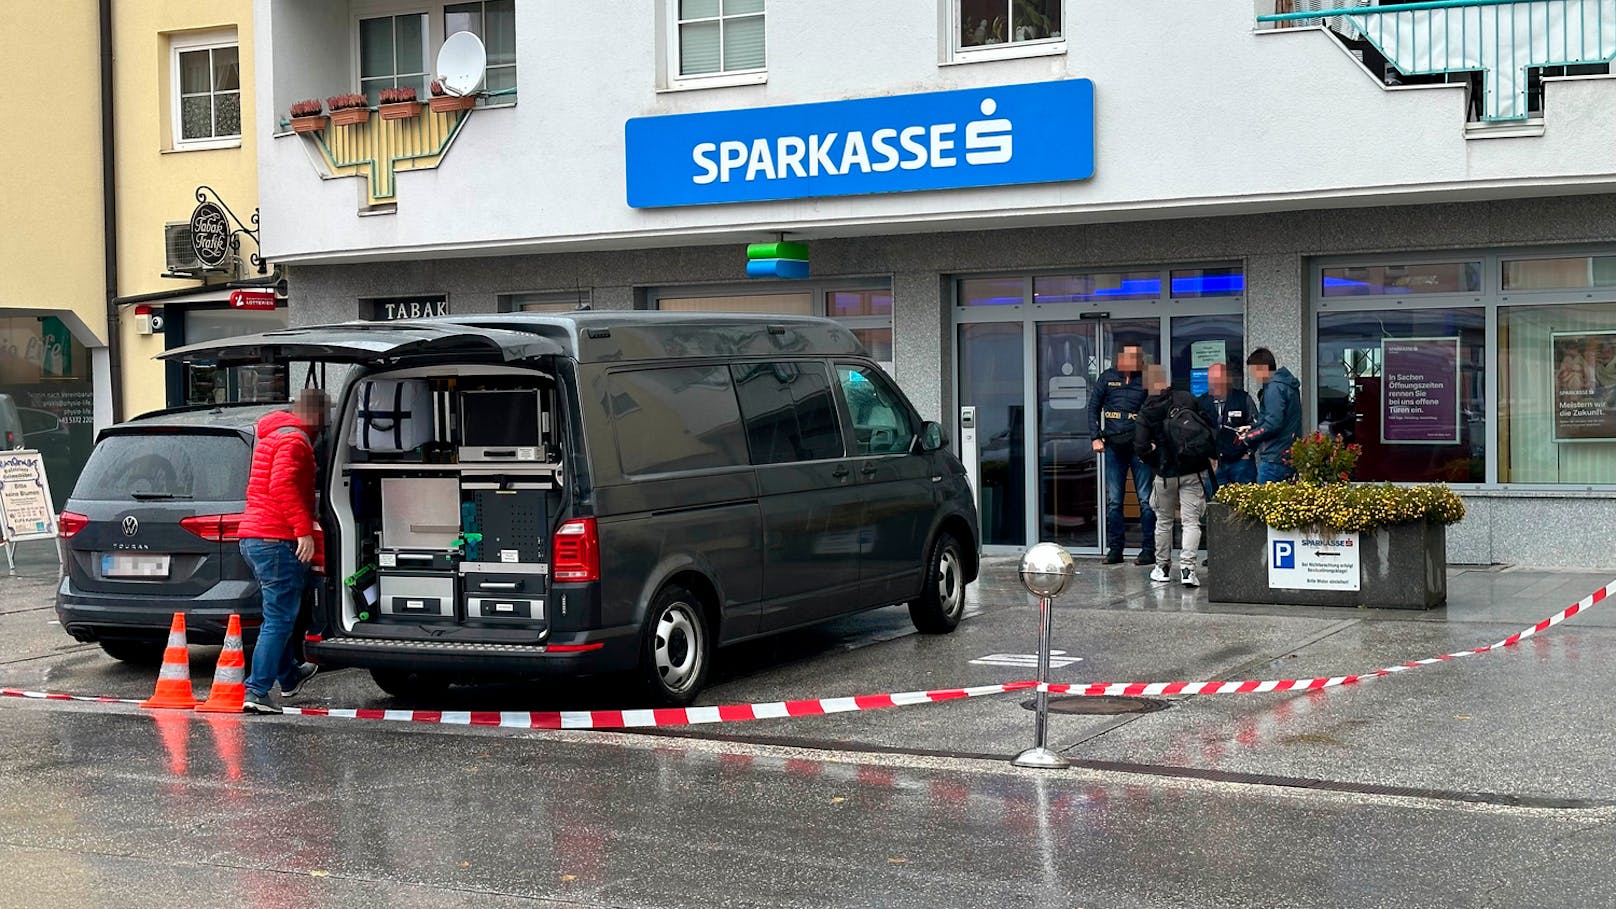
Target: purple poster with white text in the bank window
{"points": [[1420, 391]]}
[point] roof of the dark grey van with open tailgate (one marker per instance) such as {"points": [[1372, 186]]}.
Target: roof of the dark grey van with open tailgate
{"points": [[629, 336]]}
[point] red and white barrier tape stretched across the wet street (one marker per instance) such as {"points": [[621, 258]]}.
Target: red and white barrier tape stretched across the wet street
{"points": [[819, 708]]}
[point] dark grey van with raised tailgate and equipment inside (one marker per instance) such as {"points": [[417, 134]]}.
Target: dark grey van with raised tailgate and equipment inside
{"points": [[597, 493]]}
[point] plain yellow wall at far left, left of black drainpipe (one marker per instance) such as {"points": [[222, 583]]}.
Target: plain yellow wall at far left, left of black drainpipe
{"points": [[51, 188]]}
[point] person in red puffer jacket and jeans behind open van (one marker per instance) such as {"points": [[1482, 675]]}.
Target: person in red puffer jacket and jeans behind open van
{"points": [[277, 539]]}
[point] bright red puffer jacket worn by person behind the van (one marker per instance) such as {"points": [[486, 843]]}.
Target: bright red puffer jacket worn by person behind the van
{"points": [[280, 491]]}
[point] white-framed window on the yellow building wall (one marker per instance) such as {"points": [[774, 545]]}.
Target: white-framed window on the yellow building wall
{"points": [[206, 88]]}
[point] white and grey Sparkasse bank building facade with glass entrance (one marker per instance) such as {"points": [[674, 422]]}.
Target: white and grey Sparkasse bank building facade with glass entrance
{"points": [[996, 201]]}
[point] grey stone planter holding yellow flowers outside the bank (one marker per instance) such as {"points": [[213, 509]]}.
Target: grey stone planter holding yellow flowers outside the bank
{"points": [[1402, 569]]}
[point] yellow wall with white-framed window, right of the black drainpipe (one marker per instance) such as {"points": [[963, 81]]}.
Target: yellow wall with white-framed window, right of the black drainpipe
{"points": [[156, 182]]}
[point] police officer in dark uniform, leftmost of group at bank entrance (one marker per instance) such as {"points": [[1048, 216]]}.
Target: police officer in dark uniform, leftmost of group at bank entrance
{"points": [[1114, 408]]}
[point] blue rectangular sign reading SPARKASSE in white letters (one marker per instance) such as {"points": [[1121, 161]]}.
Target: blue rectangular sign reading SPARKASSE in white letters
{"points": [[993, 137]]}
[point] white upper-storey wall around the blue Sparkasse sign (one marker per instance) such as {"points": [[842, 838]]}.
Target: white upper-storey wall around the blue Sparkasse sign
{"points": [[1198, 114]]}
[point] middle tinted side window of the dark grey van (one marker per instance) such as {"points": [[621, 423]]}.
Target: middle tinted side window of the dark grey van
{"points": [[789, 410]]}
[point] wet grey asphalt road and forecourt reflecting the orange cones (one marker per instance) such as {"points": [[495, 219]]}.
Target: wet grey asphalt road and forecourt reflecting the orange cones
{"points": [[1504, 792]]}
